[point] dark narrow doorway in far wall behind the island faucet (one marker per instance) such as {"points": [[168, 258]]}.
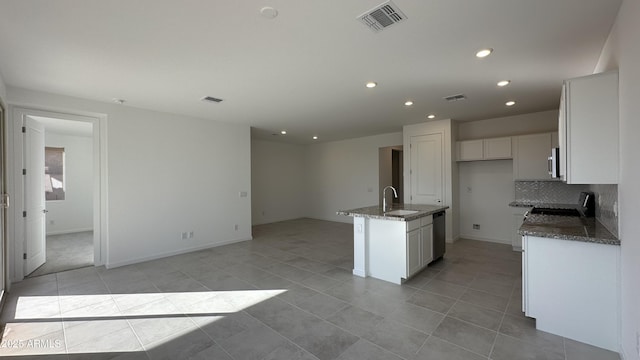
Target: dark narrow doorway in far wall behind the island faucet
{"points": [[390, 173]]}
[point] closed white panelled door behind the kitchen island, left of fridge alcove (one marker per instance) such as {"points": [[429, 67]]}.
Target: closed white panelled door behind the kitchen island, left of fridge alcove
{"points": [[426, 169]]}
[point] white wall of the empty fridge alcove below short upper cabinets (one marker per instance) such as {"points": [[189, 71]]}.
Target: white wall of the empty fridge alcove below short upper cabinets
{"points": [[486, 189]]}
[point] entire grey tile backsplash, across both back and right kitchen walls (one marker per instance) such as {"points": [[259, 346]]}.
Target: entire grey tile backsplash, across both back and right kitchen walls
{"points": [[556, 192]]}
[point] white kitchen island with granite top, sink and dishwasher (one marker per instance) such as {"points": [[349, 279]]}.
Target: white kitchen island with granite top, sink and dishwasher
{"points": [[395, 244]]}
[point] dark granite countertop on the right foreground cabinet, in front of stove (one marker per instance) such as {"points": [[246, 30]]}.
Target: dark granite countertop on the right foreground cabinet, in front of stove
{"points": [[568, 228]]}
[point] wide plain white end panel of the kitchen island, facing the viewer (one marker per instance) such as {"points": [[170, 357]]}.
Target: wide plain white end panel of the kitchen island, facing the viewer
{"points": [[387, 250]]}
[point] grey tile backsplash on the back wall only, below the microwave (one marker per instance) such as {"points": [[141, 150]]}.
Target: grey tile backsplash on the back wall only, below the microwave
{"points": [[554, 192]]}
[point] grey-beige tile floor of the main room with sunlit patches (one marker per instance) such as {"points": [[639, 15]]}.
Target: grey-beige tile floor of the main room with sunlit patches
{"points": [[288, 294]]}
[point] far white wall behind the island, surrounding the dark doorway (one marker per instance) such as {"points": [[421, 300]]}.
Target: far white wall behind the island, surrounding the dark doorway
{"points": [[344, 175]]}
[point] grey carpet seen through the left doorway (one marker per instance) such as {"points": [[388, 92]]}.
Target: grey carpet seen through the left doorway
{"points": [[67, 252]]}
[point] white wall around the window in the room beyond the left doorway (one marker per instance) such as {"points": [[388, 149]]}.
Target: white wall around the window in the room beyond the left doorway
{"points": [[75, 212]]}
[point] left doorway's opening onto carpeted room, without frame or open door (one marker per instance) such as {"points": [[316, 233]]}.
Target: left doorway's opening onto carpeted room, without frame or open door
{"points": [[68, 191]]}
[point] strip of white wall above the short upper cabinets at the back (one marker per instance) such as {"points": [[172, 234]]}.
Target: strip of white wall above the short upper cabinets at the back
{"points": [[540, 122]]}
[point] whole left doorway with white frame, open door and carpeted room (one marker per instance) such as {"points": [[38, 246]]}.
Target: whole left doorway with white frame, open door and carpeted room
{"points": [[75, 209]]}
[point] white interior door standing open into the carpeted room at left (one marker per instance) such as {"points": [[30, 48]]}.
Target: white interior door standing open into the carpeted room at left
{"points": [[35, 240]]}
